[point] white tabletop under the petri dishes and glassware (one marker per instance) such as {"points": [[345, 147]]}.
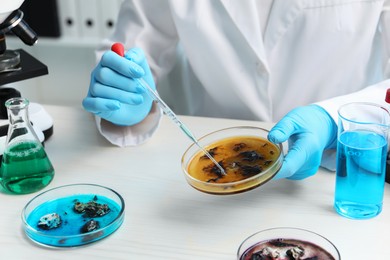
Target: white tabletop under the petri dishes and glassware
{"points": [[165, 217]]}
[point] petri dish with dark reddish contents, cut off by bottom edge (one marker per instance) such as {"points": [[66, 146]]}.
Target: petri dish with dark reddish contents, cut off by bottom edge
{"points": [[287, 243]]}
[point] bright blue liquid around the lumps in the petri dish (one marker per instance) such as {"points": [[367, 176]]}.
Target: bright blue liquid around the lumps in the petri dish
{"points": [[69, 234]]}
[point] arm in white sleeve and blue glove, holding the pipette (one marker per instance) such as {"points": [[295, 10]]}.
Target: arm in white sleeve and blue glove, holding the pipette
{"points": [[124, 113]]}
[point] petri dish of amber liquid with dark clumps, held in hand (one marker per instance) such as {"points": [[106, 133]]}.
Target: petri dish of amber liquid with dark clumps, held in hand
{"points": [[244, 152]]}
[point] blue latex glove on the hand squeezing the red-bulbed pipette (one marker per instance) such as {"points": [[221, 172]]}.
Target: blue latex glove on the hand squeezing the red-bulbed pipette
{"points": [[113, 93]]}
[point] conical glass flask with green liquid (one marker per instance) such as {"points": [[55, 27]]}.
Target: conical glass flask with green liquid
{"points": [[25, 167]]}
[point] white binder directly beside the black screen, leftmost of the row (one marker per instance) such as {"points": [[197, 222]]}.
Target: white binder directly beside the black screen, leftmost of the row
{"points": [[69, 18]]}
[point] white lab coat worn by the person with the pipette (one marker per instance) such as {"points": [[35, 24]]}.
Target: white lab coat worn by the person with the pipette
{"points": [[310, 51]]}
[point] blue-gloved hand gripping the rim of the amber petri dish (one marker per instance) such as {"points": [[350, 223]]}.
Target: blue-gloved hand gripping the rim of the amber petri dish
{"points": [[309, 130]]}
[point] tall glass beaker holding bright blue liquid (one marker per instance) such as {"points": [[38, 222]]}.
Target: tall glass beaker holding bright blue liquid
{"points": [[362, 147]]}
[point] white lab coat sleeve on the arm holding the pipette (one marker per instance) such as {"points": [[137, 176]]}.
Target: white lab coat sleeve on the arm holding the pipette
{"points": [[145, 24]]}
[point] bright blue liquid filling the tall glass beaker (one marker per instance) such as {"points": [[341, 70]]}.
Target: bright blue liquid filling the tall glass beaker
{"points": [[360, 175]]}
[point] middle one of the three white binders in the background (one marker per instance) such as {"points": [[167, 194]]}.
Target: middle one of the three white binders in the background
{"points": [[89, 16]]}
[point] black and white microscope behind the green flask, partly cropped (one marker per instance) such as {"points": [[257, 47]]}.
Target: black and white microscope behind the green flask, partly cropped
{"points": [[17, 65]]}
